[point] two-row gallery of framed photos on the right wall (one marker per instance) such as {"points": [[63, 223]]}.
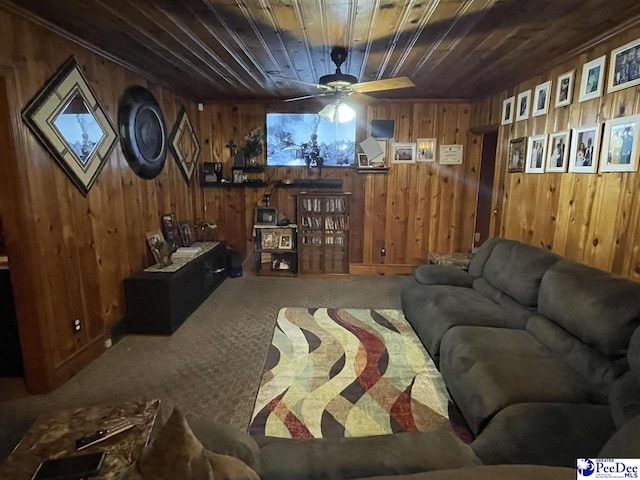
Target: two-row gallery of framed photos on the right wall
{"points": [[611, 146]]}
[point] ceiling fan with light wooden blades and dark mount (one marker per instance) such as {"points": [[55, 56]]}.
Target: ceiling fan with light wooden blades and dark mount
{"points": [[340, 85]]}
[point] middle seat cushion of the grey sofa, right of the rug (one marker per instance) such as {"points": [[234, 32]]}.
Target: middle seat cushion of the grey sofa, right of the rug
{"points": [[488, 369]]}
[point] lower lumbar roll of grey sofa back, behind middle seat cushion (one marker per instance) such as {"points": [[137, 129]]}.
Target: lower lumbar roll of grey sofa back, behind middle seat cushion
{"points": [[599, 370]]}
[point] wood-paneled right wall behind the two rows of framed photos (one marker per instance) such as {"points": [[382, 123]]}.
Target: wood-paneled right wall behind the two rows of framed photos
{"points": [[590, 218]]}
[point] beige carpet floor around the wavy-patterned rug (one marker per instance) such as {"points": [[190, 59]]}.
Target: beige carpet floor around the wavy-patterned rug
{"points": [[212, 365]]}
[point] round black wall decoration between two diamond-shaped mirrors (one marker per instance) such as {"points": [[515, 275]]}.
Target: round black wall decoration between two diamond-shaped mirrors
{"points": [[143, 133]]}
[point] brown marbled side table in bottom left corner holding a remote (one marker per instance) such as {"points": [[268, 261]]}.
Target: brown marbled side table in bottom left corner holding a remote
{"points": [[55, 436]]}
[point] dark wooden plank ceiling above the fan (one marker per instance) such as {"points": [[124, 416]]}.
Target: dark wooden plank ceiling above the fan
{"points": [[213, 49]]}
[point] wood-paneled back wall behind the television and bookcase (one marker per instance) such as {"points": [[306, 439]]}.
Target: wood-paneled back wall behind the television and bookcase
{"points": [[412, 210]]}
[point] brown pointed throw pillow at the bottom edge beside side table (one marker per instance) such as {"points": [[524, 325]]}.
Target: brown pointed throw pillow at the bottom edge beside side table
{"points": [[177, 453]]}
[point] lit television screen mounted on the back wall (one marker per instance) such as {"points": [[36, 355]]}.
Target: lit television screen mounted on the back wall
{"points": [[306, 139]]}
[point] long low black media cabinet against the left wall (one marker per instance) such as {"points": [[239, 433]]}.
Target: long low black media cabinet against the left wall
{"points": [[159, 302]]}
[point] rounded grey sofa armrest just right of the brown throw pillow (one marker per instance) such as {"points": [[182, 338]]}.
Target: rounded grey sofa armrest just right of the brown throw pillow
{"points": [[226, 440]]}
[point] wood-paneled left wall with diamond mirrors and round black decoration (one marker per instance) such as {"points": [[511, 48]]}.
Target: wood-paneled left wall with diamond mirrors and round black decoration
{"points": [[69, 254]]}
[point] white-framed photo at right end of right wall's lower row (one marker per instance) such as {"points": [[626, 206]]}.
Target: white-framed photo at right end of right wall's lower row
{"points": [[620, 142]]}
